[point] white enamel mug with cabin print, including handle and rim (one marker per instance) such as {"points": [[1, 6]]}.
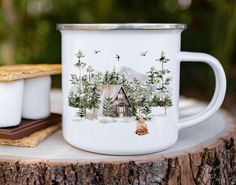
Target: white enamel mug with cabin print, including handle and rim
{"points": [[121, 86]]}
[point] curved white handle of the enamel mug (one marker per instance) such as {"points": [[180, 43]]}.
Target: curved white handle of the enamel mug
{"points": [[220, 87]]}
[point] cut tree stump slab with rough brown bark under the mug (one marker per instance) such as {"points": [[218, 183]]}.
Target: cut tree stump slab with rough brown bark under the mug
{"points": [[204, 154]]}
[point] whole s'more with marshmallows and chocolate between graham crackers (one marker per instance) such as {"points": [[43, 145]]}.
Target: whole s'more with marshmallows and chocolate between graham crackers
{"points": [[25, 117]]}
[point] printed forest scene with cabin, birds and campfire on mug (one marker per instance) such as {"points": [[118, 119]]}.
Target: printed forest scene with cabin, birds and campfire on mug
{"points": [[114, 95]]}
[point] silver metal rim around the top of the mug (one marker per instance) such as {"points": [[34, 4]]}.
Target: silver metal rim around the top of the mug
{"points": [[123, 26]]}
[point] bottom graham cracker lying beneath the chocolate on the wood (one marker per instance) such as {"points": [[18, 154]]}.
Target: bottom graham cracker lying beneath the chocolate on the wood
{"points": [[32, 140]]}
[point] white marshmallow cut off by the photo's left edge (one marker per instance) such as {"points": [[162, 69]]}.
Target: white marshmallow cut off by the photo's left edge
{"points": [[11, 97]]}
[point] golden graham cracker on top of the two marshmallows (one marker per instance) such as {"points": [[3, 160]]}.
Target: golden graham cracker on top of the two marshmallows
{"points": [[23, 71]]}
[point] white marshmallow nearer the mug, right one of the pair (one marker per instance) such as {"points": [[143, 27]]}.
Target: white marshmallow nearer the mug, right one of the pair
{"points": [[36, 101]]}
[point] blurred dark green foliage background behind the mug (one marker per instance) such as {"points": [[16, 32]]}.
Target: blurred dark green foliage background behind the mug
{"points": [[28, 33]]}
